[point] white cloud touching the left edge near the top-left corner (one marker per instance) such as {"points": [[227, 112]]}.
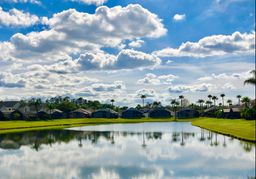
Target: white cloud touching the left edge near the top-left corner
{"points": [[15, 17]]}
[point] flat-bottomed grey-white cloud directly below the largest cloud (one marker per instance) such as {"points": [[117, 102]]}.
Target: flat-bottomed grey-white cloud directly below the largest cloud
{"points": [[126, 59]]}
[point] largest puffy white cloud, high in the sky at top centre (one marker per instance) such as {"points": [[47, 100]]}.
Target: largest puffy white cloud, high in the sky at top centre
{"points": [[106, 26]]}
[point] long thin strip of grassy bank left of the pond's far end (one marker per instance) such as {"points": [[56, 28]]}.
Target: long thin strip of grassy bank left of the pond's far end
{"points": [[18, 126]]}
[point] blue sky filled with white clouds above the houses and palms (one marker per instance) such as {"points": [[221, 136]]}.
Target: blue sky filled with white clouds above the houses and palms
{"points": [[121, 49]]}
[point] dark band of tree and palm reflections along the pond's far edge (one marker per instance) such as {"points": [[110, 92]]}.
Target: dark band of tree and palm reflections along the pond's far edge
{"points": [[36, 139]]}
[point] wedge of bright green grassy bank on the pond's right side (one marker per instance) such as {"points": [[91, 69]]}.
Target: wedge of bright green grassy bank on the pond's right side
{"points": [[238, 128]]}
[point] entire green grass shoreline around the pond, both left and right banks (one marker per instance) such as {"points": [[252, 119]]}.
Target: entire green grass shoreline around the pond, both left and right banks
{"points": [[237, 128]]}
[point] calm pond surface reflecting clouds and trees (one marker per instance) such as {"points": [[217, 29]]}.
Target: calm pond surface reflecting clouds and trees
{"points": [[148, 150]]}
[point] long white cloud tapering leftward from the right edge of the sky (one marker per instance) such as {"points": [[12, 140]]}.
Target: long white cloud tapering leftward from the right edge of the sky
{"points": [[215, 45]]}
